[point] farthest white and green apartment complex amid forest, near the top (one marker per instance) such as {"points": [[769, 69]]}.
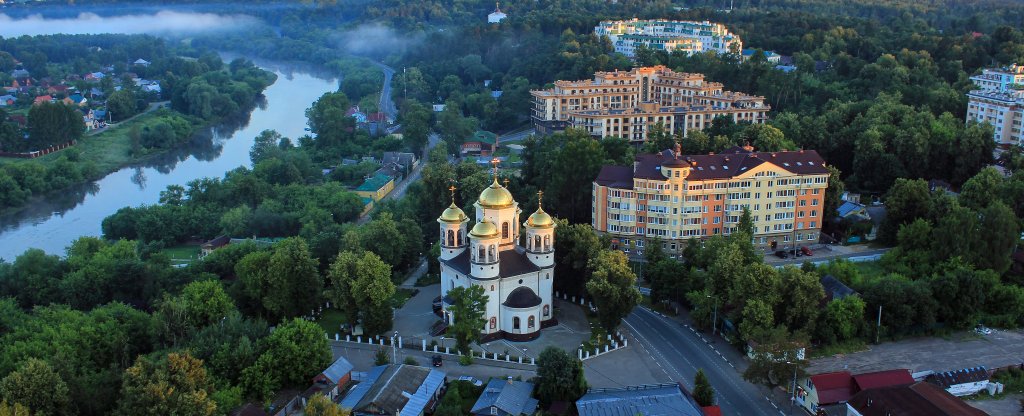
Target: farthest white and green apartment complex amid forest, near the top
{"points": [[691, 37]]}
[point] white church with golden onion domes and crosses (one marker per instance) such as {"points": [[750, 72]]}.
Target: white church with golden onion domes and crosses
{"points": [[517, 280]]}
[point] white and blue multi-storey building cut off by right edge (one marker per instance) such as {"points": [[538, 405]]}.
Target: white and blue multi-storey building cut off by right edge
{"points": [[1000, 102]]}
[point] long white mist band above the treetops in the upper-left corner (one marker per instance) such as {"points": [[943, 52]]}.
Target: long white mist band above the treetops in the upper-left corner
{"points": [[162, 23]]}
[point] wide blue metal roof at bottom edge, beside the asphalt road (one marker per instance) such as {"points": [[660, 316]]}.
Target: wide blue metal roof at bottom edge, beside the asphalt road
{"points": [[658, 400]]}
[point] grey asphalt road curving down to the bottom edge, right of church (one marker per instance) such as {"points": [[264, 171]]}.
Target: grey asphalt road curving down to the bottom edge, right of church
{"points": [[681, 352]]}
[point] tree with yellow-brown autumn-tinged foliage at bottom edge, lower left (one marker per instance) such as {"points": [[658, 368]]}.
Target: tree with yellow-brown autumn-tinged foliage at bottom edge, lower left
{"points": [[178, 385]]}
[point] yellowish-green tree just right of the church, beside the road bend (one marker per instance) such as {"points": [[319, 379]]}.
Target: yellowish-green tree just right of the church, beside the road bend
{"points": [[613, 286]]}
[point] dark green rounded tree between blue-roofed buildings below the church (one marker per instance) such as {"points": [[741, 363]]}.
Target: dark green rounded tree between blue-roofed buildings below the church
{"points": [[560, 377]]}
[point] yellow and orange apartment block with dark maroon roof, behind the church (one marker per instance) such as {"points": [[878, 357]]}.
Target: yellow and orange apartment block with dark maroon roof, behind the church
{"points": [[674, 198]]}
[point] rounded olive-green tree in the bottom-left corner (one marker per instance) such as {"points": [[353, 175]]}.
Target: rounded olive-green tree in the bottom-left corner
{"points": [[36, 387]]}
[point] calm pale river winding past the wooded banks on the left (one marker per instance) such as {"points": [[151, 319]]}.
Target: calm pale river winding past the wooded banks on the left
{"points": [[52, 224]]}
